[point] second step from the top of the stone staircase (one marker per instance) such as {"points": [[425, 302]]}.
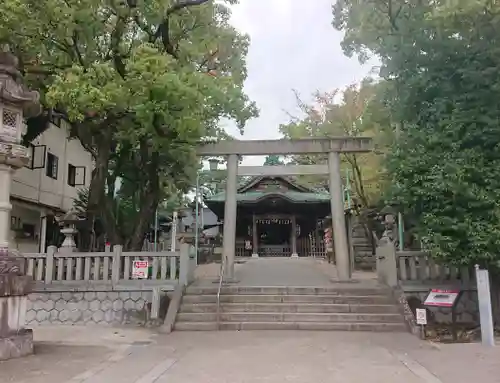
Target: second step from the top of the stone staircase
{"points": [[312, 299]]}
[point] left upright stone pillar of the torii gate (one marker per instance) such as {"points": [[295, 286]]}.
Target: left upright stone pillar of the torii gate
{"points": [[229, 234]]}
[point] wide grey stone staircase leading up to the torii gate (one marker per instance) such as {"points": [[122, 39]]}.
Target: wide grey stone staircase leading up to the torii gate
{"points": [[289, 308]]}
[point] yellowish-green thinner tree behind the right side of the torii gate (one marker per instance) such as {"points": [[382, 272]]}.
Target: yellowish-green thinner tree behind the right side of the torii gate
{"points": [[357, 110]]}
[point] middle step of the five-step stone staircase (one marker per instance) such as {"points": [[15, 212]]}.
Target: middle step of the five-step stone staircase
{"points": [[290, 308]]}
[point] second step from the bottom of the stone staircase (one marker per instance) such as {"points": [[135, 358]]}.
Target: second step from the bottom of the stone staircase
{"points": [[288, 317]]}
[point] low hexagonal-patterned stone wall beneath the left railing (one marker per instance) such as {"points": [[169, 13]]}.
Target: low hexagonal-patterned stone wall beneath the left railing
{"points": [[89, 307]]}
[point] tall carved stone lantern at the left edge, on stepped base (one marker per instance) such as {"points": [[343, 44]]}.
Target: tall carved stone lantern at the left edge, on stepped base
{"points": [[16, 103]]}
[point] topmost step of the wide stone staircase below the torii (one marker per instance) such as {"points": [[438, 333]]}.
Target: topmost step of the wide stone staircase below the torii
{"points": [[331, 290]]}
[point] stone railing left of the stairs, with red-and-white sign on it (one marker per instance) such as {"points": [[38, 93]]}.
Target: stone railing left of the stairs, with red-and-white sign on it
{"points": [[111, 267]]}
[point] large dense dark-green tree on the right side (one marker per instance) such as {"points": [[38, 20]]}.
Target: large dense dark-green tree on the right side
{"points": [[442, 60]]}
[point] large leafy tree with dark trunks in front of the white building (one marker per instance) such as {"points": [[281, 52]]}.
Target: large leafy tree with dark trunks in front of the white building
{"points": [[141, 83]]}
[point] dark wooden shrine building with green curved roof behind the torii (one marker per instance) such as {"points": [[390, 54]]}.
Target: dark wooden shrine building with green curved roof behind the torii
{"points": [[276, 217]]}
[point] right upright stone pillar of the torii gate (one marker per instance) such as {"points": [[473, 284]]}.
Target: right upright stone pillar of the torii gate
{"points": [[338, 220]]}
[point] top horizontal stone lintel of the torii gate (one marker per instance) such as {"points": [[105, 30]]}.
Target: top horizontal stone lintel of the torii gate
{"points": [[287, 147]]}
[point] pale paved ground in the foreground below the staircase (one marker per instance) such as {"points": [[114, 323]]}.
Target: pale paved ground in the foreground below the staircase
{"points": [[106, 355]]}
